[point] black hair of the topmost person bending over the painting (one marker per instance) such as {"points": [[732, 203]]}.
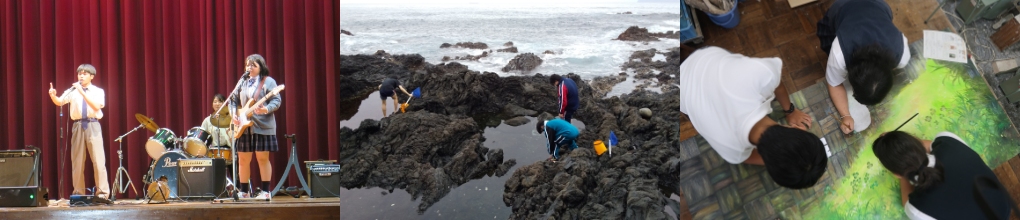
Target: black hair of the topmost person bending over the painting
{"points": [[871, 74]]}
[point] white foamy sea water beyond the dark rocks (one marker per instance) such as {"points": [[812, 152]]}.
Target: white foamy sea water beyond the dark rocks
{"points": [[581, 37]]}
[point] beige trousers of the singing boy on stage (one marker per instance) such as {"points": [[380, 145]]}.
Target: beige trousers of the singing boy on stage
{"points": [[89, 141]]}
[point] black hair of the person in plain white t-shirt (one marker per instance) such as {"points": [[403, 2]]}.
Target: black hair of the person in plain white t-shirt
{"points": [[794, 158]]}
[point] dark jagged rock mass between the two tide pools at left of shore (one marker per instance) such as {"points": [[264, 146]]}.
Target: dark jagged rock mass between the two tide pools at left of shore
{"points": [[423, 153]]}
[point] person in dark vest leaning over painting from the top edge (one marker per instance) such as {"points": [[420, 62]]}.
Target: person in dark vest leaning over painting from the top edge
{"points": [[863, 48]]}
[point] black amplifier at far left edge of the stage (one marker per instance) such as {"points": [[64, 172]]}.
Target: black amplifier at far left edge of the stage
{"points": [[17, 169]]}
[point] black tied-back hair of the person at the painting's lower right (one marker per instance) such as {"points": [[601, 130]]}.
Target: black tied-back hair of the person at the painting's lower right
{"points": [[905, 155]]}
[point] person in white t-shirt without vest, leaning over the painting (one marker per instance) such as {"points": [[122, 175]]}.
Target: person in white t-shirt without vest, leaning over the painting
{"points": [[729, 97]]}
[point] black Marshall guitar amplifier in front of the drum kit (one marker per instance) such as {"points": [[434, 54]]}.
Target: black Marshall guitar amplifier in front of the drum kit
{"points": [[201, 179]]}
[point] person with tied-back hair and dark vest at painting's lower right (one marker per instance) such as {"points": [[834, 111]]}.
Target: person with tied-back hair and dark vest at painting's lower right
{"points": [[937, 178]]}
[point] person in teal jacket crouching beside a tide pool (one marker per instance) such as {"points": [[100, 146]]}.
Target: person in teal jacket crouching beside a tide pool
{"points": [[559, 135]]}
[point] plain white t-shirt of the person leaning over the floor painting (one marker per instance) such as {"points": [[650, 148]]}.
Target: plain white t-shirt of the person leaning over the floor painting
{"points": [[726, 95]]}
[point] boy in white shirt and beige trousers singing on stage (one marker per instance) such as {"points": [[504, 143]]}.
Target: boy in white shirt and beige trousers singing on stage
{"points": [[87, 102]]}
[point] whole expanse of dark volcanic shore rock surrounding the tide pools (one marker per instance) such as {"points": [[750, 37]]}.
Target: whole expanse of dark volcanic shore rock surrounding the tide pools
{"points": [[581, 186]]}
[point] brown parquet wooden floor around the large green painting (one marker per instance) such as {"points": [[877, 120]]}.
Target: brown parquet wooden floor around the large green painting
{"points": [[772, 29]]}
